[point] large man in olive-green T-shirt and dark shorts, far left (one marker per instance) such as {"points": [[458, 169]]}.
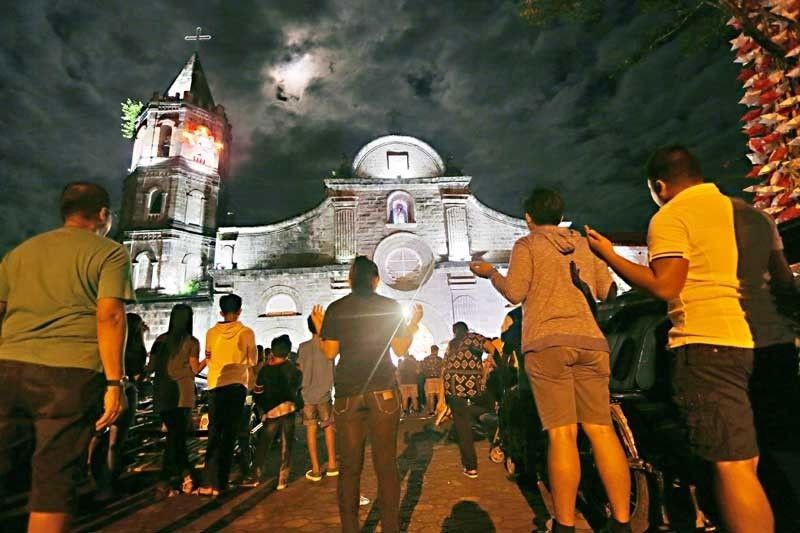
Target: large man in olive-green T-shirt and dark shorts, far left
{"points": [[62, 334]]}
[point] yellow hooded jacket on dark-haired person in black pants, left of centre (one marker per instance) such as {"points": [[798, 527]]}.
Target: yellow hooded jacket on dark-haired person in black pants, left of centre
{"points": [[231, 352]]}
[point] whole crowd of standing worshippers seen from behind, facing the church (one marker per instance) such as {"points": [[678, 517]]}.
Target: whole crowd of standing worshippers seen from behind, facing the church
{"points": [[67, 370]]}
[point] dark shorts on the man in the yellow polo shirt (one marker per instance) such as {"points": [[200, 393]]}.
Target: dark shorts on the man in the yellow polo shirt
{"points": [[711, 389]]}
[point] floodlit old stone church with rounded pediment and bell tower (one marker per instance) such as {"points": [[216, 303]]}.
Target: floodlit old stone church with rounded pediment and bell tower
{"points": [[399, 206]]}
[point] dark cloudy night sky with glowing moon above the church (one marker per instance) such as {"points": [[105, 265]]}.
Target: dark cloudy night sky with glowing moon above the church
{"points": [[516, 106]]}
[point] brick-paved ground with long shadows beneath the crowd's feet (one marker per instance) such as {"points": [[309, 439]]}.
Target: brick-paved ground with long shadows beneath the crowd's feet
{"points": [[436, 496]]}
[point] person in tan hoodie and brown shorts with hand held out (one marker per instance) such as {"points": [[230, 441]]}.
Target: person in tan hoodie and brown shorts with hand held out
{"points": [[566, 355]]}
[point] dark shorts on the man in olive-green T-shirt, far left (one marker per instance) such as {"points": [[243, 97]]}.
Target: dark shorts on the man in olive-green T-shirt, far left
{"points": [[59, 406]]}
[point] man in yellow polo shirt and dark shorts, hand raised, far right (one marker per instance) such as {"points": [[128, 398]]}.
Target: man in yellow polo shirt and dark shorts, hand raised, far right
{"points": [[715, 260]]}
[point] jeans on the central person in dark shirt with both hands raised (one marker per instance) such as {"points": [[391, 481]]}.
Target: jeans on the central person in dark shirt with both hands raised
{"points": [[376, 413]]}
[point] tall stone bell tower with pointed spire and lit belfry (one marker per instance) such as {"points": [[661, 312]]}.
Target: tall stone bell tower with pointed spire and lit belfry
{"points": [[170, 197]]}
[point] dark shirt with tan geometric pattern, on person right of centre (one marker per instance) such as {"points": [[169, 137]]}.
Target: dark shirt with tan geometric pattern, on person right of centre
{"points": [[463, 374]]}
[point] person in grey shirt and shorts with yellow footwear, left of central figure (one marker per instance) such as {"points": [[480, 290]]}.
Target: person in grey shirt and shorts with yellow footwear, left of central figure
{"points": [[317, 411]]}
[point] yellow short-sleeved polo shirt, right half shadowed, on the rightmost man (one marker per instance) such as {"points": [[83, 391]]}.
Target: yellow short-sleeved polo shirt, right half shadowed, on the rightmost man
{"points": [[726, 299]]}
